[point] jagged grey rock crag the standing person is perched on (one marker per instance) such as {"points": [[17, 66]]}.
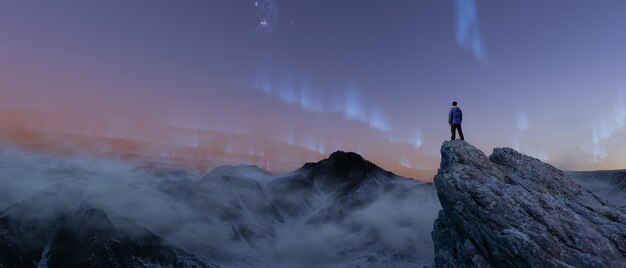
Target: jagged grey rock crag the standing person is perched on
{"points": [[512, 210]]}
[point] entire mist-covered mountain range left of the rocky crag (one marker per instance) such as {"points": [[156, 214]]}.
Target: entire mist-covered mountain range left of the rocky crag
{"points": [[341, 211]]}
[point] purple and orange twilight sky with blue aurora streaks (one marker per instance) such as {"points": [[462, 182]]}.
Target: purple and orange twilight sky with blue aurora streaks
{"points": [[280, 83]]}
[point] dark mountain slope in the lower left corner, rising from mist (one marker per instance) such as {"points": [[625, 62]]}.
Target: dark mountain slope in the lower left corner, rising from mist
{"points": [[48, 230]]}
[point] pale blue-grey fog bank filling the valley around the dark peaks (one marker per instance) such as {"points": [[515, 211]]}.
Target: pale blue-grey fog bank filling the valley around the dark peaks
{"points": [[230, 216]]}
